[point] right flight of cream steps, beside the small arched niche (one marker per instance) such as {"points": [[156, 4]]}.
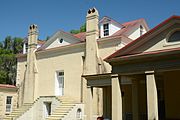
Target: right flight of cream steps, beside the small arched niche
{"points": [[63, 110]]}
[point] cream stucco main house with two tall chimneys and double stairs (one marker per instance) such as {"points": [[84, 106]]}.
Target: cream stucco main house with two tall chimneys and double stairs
{"points": [[49, 77]]}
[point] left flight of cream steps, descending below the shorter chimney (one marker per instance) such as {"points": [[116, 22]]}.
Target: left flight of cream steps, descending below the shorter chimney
{"points": [[18, 111]]}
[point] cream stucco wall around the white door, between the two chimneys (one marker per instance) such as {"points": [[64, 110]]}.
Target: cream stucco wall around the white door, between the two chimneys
{"points": [[71, 64]]}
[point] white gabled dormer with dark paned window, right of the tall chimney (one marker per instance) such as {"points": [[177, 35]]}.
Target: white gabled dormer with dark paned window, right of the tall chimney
{"points": [[108, 27]]}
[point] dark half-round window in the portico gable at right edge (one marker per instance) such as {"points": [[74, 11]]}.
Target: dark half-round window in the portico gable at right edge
{"points": [[174, 37]]}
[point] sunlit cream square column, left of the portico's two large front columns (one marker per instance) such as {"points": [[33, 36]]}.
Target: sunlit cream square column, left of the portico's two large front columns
{"points": [[116, 98]]}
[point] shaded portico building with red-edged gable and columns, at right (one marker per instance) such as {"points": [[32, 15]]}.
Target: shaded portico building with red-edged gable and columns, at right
{"points": [[144, 82]]}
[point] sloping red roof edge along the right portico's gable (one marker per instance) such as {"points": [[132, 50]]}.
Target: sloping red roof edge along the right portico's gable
{"points": [[134, 43]]}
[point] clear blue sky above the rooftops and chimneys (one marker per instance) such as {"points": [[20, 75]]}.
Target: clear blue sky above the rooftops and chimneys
{"points": [[54, 15]]}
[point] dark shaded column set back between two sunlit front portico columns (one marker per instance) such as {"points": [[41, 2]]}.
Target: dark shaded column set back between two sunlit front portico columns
{"points": [[135, 99]]}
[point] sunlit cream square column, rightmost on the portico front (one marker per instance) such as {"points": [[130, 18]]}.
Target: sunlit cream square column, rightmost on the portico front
{"points": [[152, 98]]}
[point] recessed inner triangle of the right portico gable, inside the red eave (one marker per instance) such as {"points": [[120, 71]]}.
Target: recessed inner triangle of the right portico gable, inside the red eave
{"points": [[160, 41]]}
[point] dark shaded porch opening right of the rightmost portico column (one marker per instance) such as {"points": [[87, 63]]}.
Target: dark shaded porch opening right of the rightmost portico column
{"points": [[168, 95]]}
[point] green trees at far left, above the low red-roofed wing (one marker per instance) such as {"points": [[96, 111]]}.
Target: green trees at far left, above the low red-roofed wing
{"points": [[8, 50]]}
